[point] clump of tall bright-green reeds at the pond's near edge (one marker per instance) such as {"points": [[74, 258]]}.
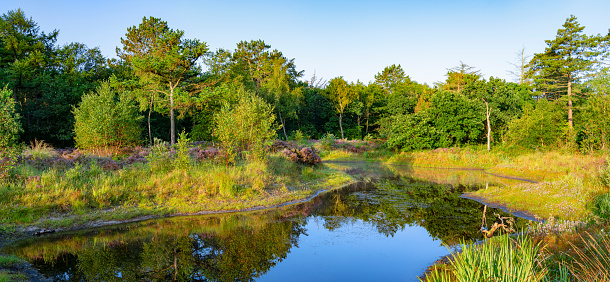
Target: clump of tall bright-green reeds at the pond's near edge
{"points": [[500, 259]]}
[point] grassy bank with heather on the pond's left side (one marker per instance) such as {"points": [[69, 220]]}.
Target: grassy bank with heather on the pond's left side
{"points": [[57, 197]]}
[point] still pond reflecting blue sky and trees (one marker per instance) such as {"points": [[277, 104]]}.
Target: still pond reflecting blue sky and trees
{"points": [[391, 226]]}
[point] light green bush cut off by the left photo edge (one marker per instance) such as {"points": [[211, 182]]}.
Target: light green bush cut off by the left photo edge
{"points": [[9, 120]]}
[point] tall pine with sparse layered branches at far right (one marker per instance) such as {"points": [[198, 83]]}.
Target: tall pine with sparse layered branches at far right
{"points": [[565, 60]]}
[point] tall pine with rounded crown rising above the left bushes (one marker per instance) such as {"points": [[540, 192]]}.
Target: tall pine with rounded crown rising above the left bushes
{"points": [[166, 65]]}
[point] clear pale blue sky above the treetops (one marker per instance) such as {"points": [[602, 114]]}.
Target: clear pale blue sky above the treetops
{"points": [[349, 38]]}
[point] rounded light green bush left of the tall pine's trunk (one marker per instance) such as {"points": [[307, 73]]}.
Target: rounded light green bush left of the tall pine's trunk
{"points": [[107, 118]]}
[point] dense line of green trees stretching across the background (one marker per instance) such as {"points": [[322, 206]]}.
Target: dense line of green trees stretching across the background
{"points": [[162, 83]]}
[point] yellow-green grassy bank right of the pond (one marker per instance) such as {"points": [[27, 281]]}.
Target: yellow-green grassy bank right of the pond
{"points": [[567, 184]]}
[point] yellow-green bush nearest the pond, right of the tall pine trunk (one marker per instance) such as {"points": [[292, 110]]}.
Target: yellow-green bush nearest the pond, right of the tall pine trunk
{"points": [[245, 127]]}
